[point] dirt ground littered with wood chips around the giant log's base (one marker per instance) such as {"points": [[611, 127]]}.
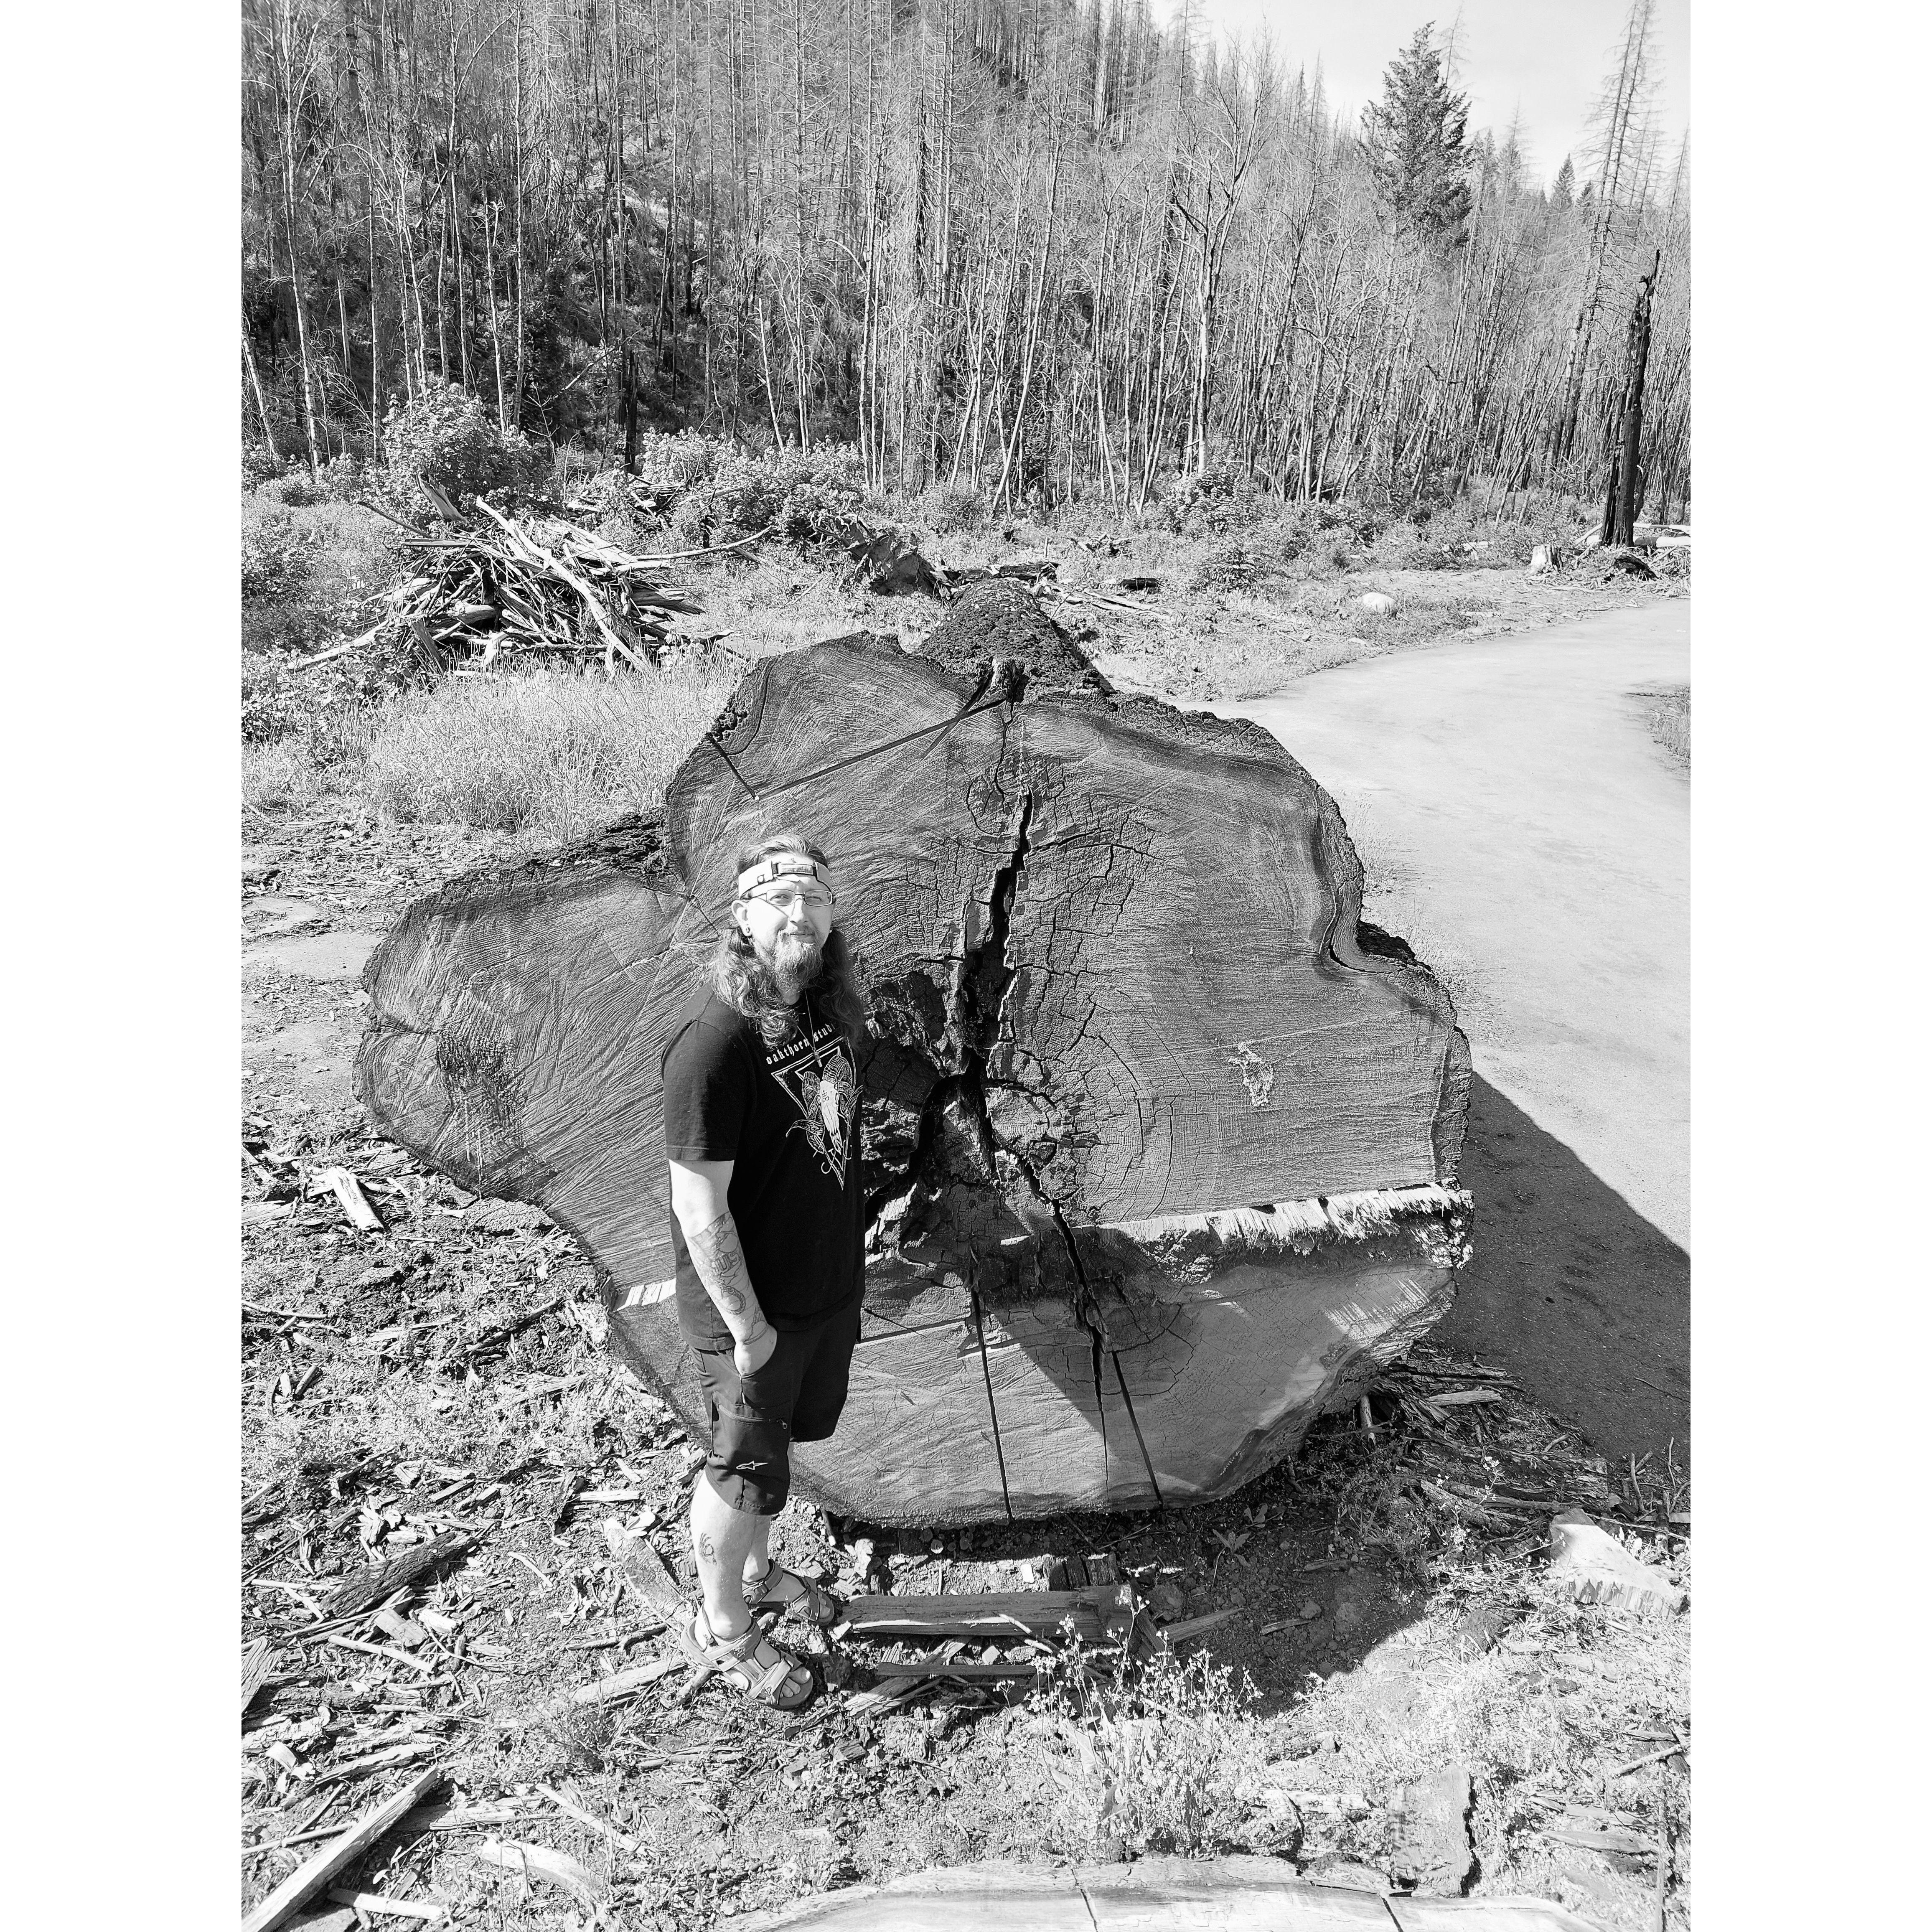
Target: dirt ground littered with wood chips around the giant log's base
{"points": [[1386, 1608]]}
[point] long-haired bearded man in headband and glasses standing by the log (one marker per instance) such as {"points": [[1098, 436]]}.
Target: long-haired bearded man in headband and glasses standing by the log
{"points": [[768, 1224]]}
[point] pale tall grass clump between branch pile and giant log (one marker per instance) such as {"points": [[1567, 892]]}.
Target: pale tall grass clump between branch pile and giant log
{"points": [[552, 751]]}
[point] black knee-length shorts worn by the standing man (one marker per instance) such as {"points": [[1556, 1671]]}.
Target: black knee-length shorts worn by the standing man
{"points": [[795, 1396]]}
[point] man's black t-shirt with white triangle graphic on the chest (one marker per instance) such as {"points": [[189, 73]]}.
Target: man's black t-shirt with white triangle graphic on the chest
{"points": [[789, 1120]]}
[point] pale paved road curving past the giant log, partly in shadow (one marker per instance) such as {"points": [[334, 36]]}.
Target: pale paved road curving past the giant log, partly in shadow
{"points": [[1529, 839]]}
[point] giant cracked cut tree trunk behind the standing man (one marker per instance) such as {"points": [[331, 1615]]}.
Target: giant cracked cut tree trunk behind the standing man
{"points": [[1158, 1139]]}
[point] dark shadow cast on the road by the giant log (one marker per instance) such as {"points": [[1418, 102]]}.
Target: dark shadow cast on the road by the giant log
{"points": [[1572, 1290]]}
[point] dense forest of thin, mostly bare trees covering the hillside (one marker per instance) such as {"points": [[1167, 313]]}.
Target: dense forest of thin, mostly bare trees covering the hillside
{"points": [[1044, 250]]}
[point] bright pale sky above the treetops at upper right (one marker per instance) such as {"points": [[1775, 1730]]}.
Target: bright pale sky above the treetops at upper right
{"points": [[1541, 59]]}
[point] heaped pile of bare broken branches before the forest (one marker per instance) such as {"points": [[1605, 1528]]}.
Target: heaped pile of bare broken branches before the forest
{"points": [[492, 584]]}
